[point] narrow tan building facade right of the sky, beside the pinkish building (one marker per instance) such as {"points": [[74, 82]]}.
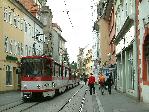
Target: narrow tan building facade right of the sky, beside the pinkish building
{"points": [[104, 33]]}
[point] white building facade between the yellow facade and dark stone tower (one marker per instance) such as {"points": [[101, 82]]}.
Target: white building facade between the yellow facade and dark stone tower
{"points": [[33, 36]]}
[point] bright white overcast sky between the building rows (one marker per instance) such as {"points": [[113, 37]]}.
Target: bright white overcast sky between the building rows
{"points": [[75, 17]]}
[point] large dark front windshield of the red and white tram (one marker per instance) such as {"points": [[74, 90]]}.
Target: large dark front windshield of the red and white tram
{"points": [[32, 66]]}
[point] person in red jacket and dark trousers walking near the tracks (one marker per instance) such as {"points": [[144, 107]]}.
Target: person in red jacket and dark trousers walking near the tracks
{"points": [[91, 82]]}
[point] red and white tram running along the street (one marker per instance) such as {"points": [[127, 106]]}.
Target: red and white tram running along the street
{"points": [[41, 76]]}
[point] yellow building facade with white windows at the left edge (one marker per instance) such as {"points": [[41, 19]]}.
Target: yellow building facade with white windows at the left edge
{"points": [[11, 43]]}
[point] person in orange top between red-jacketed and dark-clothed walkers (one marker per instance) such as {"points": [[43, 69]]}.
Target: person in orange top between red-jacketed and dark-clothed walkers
{"points": [[101, 81]]}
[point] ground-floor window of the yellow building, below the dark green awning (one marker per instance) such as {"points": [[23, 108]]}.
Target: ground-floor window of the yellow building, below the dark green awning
{"points": [[8, 75]]}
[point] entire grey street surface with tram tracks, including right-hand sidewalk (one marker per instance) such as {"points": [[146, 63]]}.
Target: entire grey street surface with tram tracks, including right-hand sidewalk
{"points": [[77, 99]]}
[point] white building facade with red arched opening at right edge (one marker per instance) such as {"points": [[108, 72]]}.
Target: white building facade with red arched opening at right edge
{"points": [[142, 22]]}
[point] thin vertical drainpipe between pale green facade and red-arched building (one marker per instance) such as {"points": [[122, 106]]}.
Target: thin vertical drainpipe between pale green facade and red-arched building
{"points": [[137, 47]]}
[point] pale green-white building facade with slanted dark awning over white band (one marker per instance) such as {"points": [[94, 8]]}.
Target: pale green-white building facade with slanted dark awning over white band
{"points": [[126, 47]]}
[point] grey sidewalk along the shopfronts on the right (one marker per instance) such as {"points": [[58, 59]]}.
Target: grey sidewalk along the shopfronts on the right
{"points": [[119, 102]]}
